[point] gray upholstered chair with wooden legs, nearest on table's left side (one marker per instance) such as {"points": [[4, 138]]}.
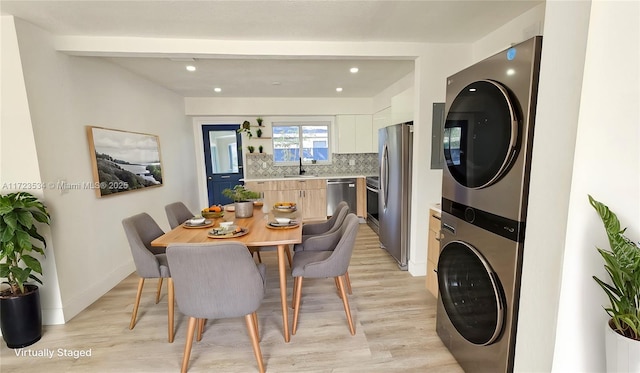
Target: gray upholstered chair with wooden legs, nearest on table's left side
{"points": [[151, 262]]}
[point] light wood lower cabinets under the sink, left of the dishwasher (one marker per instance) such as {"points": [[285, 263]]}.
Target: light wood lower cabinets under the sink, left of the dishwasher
{"points": [[310, 195]]}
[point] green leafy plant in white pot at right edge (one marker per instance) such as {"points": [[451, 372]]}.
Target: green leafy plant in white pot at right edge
{"points": [[622, 263]]}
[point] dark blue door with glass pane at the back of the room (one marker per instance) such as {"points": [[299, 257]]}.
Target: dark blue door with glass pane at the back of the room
{"points": [[223, 160]]}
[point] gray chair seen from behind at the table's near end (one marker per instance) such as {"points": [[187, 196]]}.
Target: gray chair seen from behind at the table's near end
{"points": [[215, 281]]}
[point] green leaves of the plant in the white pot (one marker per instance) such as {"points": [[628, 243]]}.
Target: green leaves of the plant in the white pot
{"points": [[622, 264]]}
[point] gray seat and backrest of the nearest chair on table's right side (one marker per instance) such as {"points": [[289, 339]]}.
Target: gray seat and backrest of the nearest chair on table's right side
{"points": [[337, 263]]}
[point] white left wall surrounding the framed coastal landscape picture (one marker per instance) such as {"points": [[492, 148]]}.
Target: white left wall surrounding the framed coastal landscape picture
{"points": [[65, 94]]}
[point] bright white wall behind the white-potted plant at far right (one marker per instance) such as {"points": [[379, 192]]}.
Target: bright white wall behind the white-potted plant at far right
{"points": [[607, 165]]}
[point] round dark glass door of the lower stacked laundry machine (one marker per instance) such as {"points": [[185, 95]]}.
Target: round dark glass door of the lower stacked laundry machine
{"points": [[471, 293]]}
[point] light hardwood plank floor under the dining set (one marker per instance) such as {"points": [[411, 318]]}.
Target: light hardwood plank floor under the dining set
{"points": [[393, 313]]}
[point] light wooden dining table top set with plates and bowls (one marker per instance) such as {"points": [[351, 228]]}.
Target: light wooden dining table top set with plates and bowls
{"points": [[259, 234]]}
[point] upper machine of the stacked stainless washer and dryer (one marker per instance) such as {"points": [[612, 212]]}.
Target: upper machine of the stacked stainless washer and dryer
{"points": [[489, 131]]}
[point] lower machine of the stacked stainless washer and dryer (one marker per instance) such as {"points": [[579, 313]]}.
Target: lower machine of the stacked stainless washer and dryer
{"points": [[479, 285]]}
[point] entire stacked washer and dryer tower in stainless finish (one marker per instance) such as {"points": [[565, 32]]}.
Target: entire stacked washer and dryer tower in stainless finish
{"points": [[488, 138]]}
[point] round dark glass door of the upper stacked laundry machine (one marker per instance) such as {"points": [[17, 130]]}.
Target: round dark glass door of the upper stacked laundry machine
{"points": [[480, 134]]}
